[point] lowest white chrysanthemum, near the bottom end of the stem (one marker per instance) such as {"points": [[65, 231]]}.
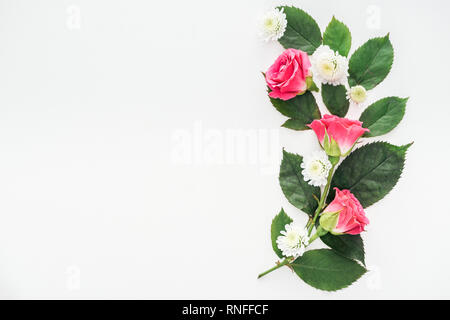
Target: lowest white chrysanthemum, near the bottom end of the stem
{"points": [[293, 241]]}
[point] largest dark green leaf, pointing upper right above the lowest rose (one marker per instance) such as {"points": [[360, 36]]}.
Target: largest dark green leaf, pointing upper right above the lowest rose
{"points": [[370, 172]]}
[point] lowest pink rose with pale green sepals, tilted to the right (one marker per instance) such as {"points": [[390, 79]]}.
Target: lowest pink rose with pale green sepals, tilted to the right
{"points": [[344, 214]]}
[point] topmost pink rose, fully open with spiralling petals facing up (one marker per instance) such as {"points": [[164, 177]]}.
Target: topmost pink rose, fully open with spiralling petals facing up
{"points": [[287, 76]]}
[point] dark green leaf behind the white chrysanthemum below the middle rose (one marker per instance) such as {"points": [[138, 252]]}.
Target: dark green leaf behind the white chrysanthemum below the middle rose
{"points": [[298, 192]]}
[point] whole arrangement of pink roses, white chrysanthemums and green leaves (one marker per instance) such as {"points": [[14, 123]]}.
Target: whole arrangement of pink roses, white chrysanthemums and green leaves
{"points": [[333, 186]]}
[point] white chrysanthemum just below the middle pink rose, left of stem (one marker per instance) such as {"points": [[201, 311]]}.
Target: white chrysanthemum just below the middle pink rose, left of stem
{"points": [[316, 168]]}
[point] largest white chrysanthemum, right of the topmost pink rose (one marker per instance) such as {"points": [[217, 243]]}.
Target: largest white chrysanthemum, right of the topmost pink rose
{"points": [[329, 67]]}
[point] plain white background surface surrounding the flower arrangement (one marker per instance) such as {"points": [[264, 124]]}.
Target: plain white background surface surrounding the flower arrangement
{"points": [[98, 100]]}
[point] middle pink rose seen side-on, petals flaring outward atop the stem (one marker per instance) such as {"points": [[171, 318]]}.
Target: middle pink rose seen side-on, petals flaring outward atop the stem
{"points": [[341, 133]]}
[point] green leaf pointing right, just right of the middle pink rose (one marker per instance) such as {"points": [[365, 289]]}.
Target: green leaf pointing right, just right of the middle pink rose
{"points": [[383, 115]]}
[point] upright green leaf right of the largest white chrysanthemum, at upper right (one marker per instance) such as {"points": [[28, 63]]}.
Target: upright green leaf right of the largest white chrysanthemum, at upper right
{"points": [[371, 63]]}
